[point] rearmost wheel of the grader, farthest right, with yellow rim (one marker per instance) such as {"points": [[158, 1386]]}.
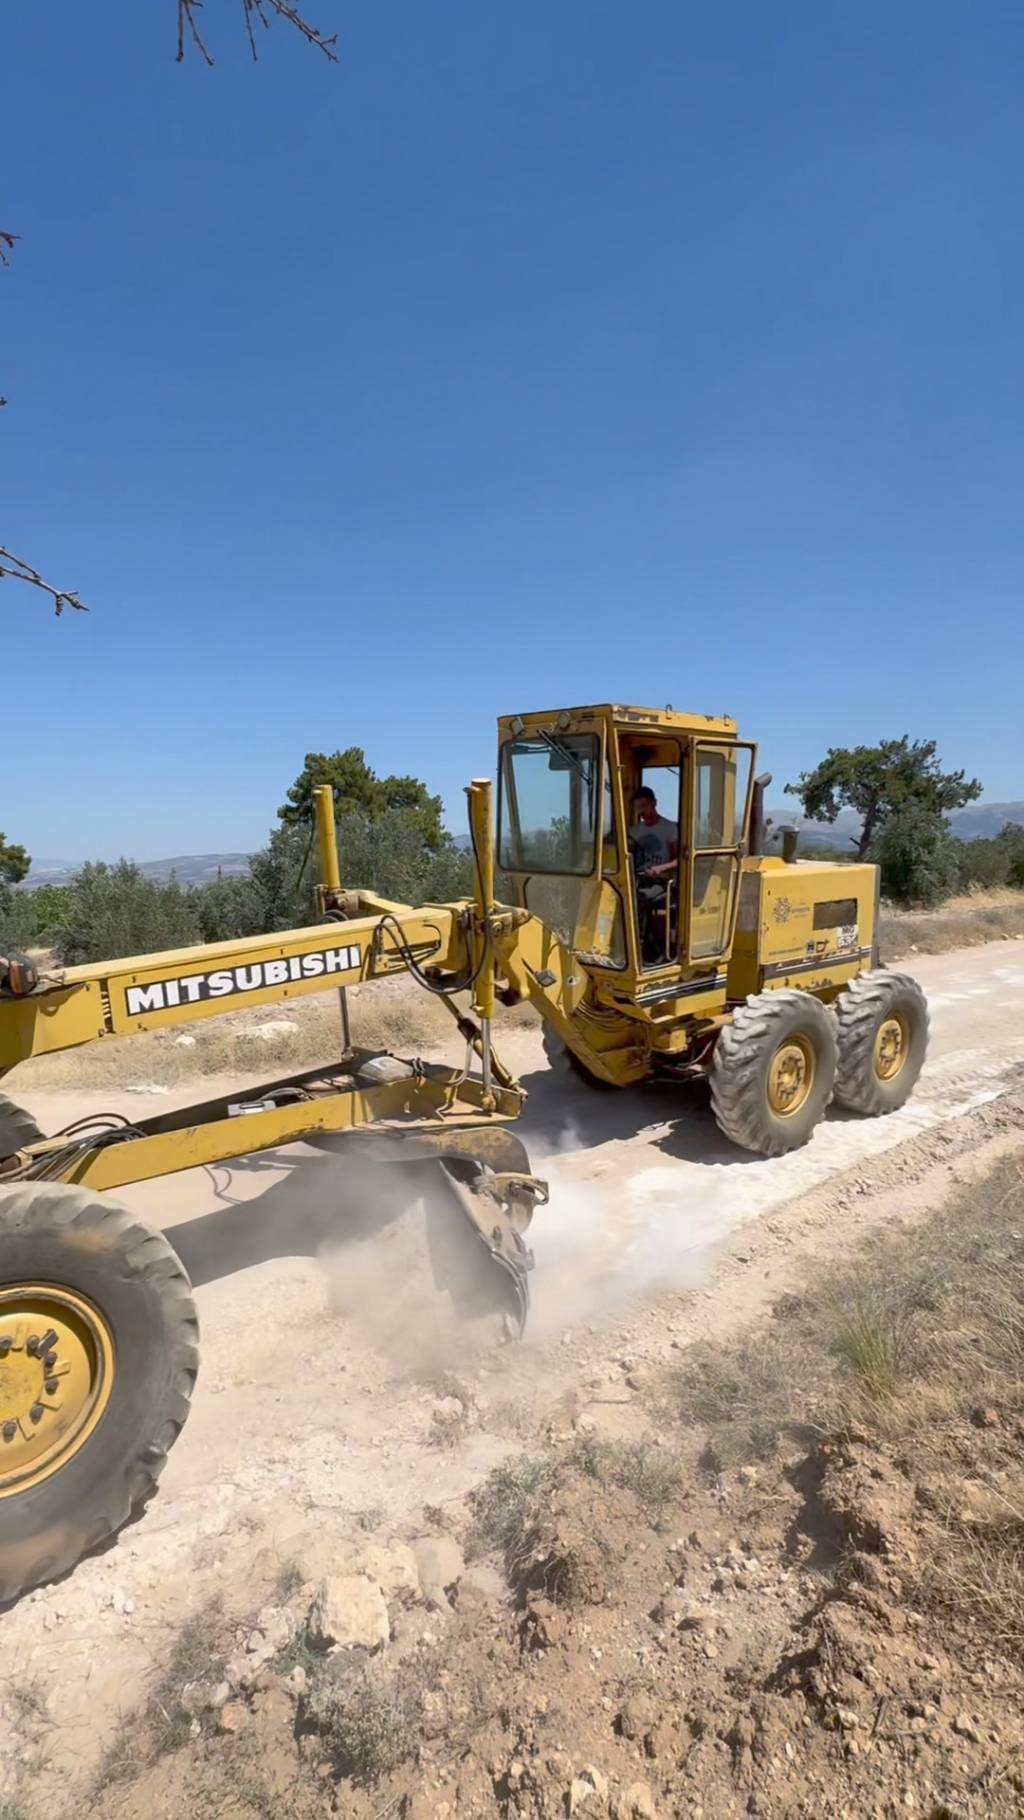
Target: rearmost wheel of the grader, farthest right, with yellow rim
{"points": [[883, 1042]]}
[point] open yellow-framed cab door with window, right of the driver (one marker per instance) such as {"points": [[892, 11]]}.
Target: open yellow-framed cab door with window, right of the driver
{"points": [[718, 791]]}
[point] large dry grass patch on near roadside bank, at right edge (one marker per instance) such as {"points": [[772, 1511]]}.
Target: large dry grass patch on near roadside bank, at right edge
{"points": [[925, 1326]]}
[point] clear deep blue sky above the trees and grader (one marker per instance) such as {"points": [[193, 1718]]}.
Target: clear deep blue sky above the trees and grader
{"points": [[541, 354]]}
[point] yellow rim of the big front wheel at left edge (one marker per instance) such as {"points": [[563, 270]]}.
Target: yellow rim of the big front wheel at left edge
{"points": [[57, 1373]]}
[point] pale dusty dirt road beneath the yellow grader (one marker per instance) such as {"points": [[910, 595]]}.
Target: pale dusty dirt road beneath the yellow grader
{"points": [[314, 1413]]}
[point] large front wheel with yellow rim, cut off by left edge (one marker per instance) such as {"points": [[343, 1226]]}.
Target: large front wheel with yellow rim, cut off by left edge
{"points": [[97, 1366]]}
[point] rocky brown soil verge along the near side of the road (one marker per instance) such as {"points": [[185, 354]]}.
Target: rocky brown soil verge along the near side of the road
{"points": [[648, 1606]]}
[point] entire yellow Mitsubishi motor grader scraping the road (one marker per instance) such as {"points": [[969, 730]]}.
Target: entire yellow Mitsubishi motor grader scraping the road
{"points": [[759, 973]]}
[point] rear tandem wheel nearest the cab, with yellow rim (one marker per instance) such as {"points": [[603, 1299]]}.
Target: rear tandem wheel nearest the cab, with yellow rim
{"points": [[774, 1071]]}
